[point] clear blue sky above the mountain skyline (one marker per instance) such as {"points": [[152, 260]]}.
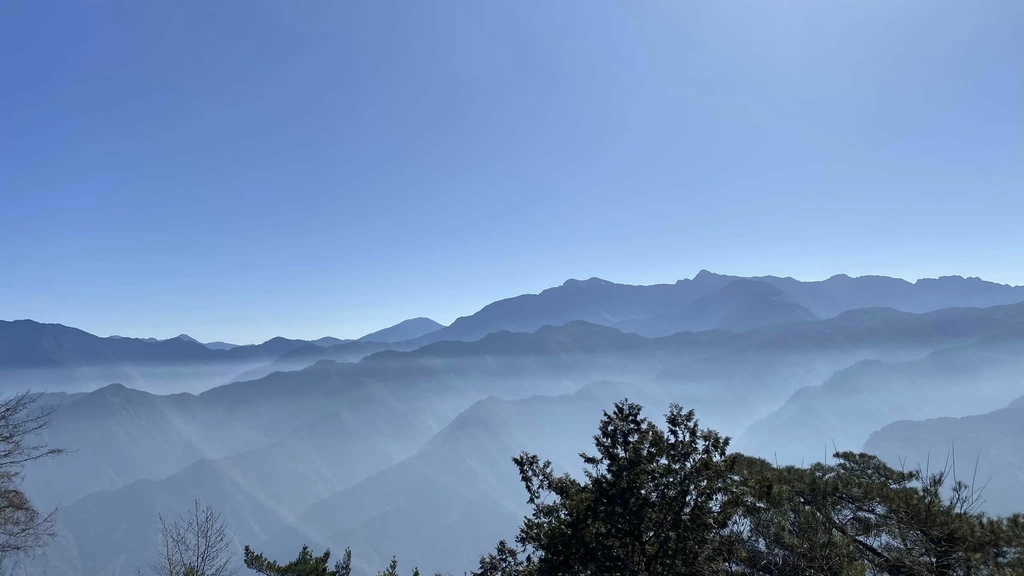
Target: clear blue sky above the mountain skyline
{"points": [[239, 171]]}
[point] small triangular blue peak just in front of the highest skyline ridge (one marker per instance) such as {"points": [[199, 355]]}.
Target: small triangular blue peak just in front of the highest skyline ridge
{"points": [[741, 306]]}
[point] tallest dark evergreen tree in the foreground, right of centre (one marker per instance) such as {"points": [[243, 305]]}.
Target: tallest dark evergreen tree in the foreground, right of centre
{"points": [[653, 503]]}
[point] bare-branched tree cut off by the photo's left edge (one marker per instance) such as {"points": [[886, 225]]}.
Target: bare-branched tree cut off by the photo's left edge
{"points": [[23, 528]]}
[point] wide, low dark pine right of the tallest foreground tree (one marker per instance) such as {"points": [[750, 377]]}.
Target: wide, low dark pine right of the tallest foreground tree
{"points": [[860, 516]]}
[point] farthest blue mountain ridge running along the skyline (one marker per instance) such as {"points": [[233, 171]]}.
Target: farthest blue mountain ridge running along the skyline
{"points": [[56, 357]]}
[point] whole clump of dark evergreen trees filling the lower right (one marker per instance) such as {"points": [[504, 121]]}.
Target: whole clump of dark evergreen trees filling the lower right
{"points": [[672, 503]]}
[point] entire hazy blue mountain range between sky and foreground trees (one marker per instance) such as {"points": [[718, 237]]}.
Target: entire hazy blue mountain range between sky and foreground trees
{"points": [[400, 442]]}
